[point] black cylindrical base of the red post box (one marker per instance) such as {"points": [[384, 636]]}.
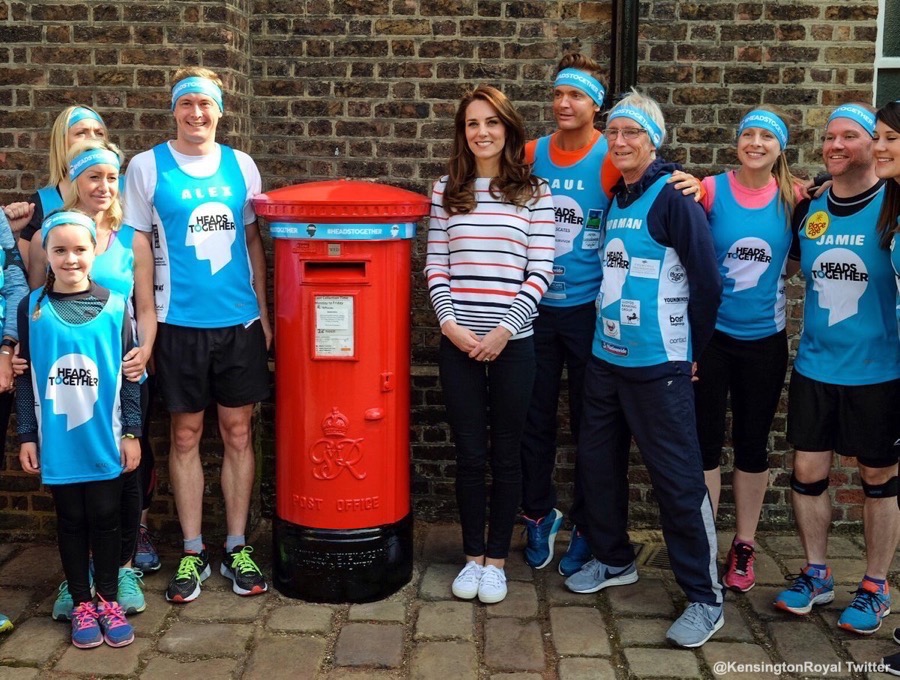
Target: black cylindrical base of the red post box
{"points": [[342, 565]]}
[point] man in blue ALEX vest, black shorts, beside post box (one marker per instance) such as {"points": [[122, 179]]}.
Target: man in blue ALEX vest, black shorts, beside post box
{"points": [[192, 196]]}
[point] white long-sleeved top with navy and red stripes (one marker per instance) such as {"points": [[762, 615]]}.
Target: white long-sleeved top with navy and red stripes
{"points": [[490, 267]]}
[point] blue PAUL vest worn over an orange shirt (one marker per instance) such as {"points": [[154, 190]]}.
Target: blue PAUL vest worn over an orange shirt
{"points": [[580, 205]]}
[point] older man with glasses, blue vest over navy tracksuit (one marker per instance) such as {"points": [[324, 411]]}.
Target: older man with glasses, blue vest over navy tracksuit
{"points": [[656, 313]]}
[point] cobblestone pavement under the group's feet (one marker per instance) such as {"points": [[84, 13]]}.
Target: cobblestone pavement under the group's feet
{"points": [[541, 631]]}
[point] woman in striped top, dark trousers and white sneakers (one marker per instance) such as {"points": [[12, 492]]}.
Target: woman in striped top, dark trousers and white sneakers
{"points": [[490, 260]]}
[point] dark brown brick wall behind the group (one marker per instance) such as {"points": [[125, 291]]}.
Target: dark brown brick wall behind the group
{"points": [[367, 89]]}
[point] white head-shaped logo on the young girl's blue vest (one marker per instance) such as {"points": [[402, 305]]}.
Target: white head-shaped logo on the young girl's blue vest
{"points": [[73, 386]]}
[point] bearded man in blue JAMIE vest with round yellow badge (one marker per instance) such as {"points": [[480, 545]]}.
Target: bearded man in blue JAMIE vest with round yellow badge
{"points": [[845, 384]]}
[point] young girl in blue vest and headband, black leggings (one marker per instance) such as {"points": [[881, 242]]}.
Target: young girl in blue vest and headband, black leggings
{"points": [[79, 419]]}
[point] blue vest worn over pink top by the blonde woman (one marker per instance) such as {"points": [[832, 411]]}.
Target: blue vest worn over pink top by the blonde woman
{"points": [[751, 248]]}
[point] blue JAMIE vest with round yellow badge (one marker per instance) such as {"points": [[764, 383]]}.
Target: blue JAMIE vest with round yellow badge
{"points": [[849, 315]]}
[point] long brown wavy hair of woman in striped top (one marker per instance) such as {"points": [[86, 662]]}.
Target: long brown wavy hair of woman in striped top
{"points": [[514, 184]]}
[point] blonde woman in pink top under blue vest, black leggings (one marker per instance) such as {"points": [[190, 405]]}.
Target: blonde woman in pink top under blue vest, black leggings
{"points": [[749, 213]]}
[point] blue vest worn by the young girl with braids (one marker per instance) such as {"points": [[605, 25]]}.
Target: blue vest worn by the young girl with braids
{"points": [[76, 373]]}
